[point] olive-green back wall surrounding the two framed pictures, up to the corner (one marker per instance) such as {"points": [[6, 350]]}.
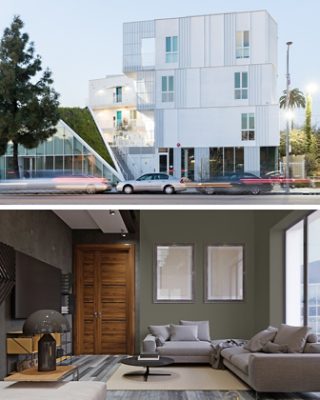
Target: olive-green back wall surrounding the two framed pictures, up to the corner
{"points": [[200, 228]]}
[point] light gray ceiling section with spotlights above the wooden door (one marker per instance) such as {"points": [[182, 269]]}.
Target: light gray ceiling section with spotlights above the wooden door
{"points": [[106, 221]]}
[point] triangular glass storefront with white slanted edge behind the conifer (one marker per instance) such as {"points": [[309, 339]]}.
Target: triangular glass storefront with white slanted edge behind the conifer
{"points": [[64, 153]]}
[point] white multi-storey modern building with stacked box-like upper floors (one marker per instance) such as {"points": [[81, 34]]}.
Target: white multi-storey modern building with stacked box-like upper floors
{"points": [[198, 96]]}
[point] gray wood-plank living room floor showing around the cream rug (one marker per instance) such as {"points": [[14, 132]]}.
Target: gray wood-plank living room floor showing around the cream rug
{"points": [[100, 368]]}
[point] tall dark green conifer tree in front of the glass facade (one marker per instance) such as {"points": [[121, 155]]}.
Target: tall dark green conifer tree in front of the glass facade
{"points": [[28, 103]]}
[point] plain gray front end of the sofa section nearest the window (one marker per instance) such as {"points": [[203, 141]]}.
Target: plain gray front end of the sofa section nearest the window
{"points": [[284, 372]]}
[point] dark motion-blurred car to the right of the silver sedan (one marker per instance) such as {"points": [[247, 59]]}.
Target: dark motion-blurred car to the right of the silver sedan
{"points": [[236, 183]]}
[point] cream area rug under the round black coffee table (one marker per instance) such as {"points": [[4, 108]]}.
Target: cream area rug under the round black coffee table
{"points": [[181, 378]]}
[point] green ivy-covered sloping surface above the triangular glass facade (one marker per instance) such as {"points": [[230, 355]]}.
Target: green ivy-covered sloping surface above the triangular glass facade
{"points": [[80, 120]]}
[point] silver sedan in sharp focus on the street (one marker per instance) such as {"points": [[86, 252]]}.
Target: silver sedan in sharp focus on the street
{"points": [[153, 182]]}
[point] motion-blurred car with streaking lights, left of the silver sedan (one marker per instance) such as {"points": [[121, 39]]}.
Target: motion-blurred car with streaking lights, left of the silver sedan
{"points": [[66, 183]]}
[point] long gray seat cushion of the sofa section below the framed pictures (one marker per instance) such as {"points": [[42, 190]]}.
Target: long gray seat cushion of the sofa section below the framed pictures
{"points": [[185, 348]]}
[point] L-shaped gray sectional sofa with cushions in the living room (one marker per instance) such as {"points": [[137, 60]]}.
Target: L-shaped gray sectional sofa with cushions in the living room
{"points": [[275, 360]]}
